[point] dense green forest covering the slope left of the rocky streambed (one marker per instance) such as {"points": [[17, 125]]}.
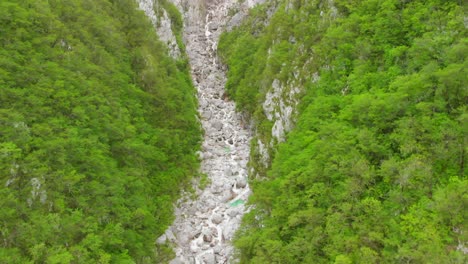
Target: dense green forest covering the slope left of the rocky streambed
{"points": [[98, 132]]}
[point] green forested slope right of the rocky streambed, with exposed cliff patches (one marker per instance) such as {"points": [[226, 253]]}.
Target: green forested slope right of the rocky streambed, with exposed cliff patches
{"points": [[375, 169]]}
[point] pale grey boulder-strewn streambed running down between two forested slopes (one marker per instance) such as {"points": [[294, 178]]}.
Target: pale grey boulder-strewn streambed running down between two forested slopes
{"points": [[204, 226]]}
